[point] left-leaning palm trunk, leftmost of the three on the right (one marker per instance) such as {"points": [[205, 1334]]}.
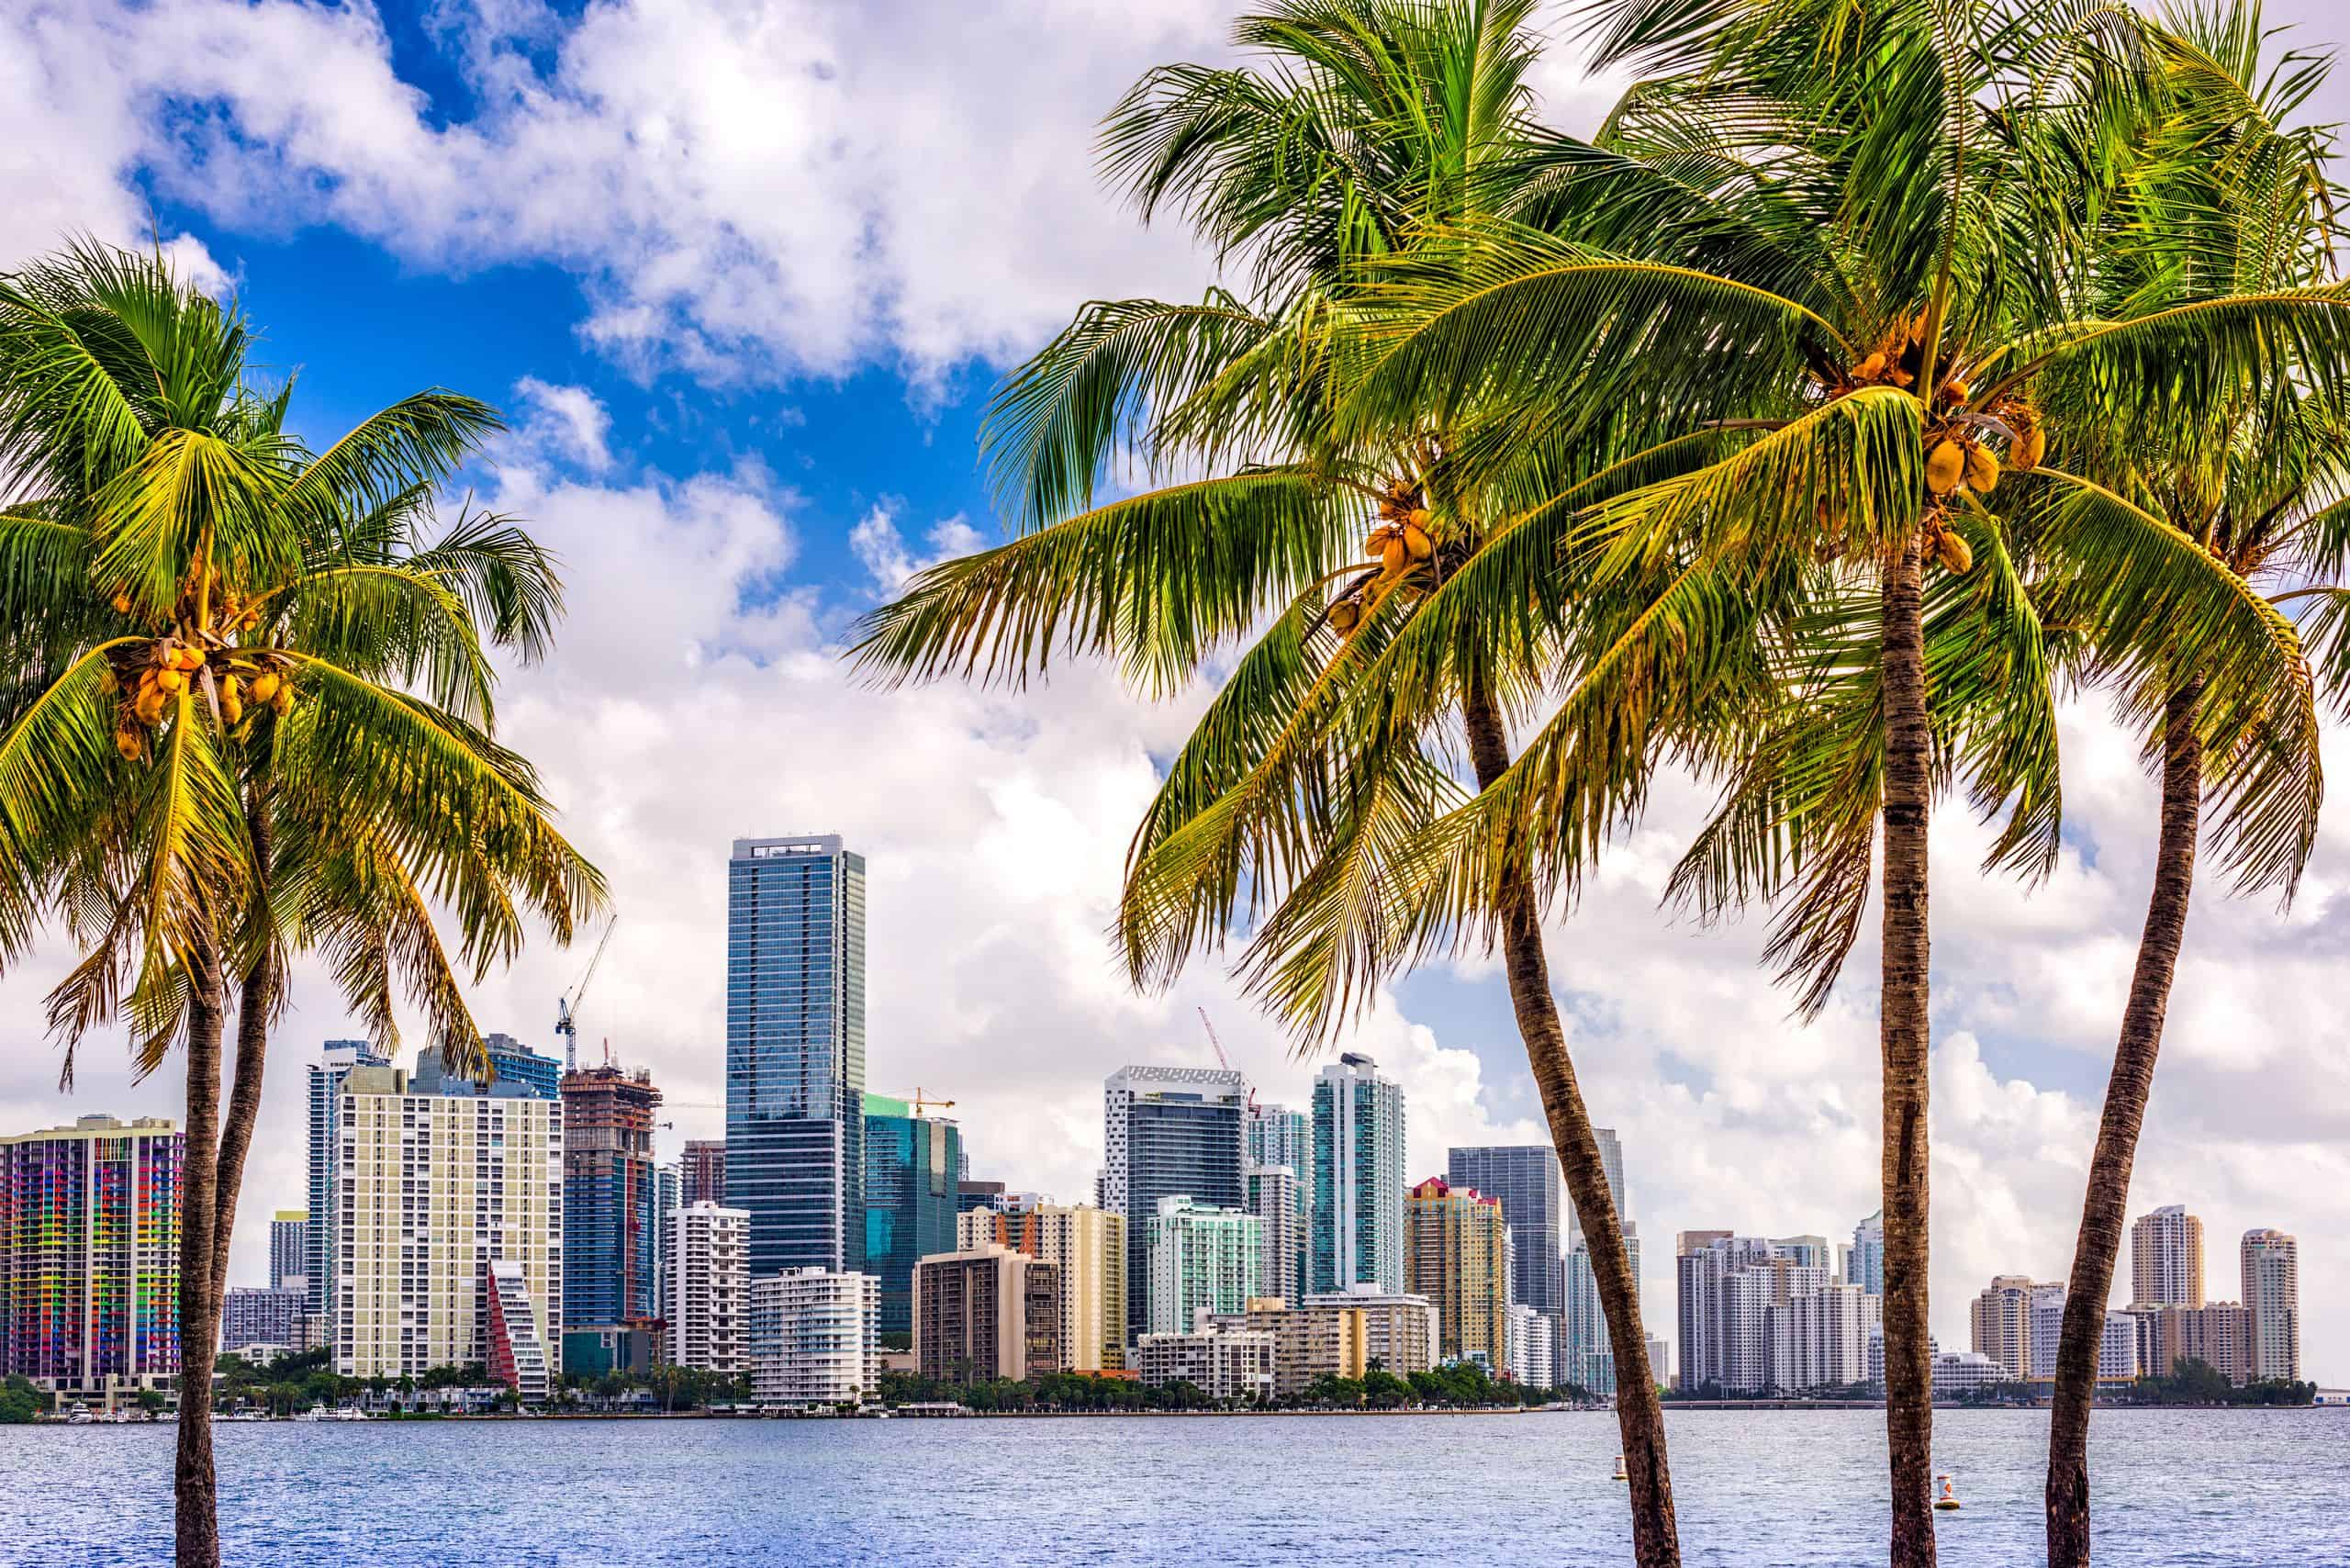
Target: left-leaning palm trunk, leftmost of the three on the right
{"points": [[1656, 1536]]}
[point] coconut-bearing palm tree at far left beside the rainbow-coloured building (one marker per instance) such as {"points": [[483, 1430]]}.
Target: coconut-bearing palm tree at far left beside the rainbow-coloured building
{"points": [[246, 716]]}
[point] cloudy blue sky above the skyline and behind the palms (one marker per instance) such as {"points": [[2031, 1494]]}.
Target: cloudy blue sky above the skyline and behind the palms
{"points": [[744, 272]]}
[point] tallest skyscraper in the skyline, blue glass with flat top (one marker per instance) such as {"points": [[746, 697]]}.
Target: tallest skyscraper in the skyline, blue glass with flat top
{"points": [[795, 1052]]}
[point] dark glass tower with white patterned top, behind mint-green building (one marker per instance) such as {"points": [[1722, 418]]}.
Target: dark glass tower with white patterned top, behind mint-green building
{"points": [[1169, 1132]]}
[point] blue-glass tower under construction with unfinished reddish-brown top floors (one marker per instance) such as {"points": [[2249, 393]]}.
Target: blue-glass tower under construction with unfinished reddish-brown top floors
{"points": [[612, 1240]]}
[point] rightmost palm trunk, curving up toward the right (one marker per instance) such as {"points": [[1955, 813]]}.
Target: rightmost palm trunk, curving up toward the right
{"points": [[2128, 1090]]}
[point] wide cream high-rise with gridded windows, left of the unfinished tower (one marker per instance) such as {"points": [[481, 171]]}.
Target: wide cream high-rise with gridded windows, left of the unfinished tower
{"points": [[431, 1191]]}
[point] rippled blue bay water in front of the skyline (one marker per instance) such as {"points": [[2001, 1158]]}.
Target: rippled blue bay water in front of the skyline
{"points": [[1797, 1489]]}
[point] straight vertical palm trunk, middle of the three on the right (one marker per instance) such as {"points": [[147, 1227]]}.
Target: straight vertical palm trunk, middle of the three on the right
{"points": [[1905, 1043]]}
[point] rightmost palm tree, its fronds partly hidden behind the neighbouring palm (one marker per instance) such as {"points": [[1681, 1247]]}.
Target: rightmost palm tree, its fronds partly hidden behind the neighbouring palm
{"points": [[2260, 497]]}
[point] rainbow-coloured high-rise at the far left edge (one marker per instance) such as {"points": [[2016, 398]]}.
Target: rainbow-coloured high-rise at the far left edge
{"points": [[90, 1257]]}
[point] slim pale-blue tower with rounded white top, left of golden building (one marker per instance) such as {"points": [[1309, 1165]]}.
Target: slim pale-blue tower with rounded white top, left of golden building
{"points": [[1357, 1177]]}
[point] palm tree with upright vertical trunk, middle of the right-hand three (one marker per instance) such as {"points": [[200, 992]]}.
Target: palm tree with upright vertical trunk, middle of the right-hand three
{"points": [[1891, 220]]}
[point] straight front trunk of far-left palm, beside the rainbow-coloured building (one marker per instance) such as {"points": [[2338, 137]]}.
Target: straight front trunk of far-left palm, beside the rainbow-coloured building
{"points": [[194, 1492]]}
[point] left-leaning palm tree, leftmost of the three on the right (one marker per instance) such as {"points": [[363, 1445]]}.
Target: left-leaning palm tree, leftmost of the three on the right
{"points": [[1367, 123]]}
